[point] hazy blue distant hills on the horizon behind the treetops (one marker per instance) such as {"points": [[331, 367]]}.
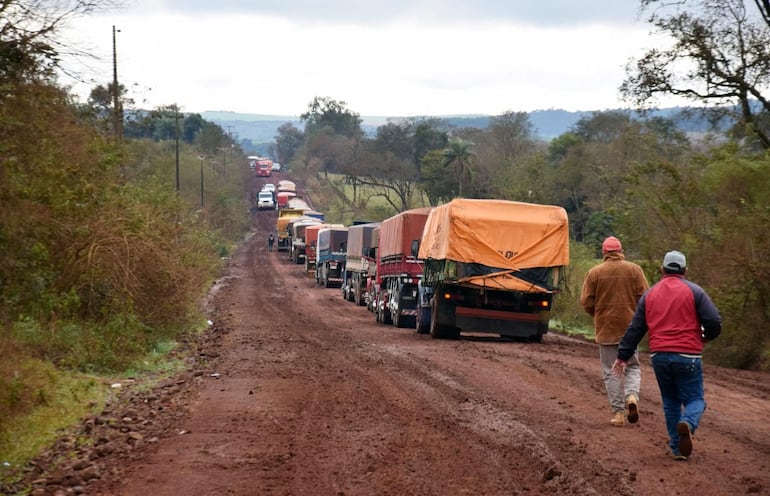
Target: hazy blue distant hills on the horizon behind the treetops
{"points": [[256, 132]]}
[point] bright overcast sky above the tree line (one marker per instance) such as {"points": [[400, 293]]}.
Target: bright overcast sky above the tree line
{"points": [[381, 57]]}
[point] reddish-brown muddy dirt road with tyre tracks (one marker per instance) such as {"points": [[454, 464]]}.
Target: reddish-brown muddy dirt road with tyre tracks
{"points": [[295, 391]]}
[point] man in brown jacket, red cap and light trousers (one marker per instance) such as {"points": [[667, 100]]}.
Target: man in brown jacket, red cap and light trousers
{"points": [[610, 293]]}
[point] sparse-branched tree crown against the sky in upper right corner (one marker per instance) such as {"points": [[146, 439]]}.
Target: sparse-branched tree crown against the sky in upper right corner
{"points": [[720, 55]]}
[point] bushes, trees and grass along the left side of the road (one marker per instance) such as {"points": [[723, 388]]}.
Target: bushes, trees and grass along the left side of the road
{"points": [[104, 263]]}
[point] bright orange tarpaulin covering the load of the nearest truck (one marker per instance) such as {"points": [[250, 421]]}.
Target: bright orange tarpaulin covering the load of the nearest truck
{"points": [[497, 233]]}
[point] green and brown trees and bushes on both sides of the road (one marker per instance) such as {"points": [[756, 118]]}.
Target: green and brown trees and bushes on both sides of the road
{"points": [[114, 220]]}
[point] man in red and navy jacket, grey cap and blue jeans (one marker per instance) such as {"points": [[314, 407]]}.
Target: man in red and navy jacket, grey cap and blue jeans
{"points": [[680, 317]]}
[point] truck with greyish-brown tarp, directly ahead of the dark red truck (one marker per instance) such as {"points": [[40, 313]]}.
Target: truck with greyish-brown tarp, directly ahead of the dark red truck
{"points": [[358, 261]]}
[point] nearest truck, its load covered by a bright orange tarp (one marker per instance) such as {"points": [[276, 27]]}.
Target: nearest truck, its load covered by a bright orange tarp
{"points": [[492, 266]]}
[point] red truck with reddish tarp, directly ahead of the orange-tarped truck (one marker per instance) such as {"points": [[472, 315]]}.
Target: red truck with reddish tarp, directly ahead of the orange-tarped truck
{"points": [[394, 292]]}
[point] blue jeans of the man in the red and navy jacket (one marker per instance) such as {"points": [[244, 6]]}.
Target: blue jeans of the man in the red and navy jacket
{"points": [[680, 380]]}
